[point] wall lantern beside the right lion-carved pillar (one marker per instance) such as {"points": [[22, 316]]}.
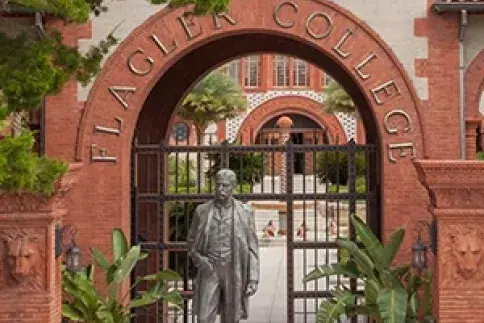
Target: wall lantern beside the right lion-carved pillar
{"points": [[419, 248]]}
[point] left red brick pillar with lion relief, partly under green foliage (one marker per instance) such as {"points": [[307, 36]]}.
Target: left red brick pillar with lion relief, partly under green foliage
{"points": [[30, 280]]}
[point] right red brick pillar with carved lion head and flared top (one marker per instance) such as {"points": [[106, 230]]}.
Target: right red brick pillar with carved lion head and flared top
{"points": [[456, 190]]}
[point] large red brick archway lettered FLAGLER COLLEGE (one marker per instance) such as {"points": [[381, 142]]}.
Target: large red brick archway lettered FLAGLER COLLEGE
{"points": [[150, 72]]}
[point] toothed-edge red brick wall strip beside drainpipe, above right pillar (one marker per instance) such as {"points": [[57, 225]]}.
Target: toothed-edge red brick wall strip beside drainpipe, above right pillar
{"points": [[441, 111]]}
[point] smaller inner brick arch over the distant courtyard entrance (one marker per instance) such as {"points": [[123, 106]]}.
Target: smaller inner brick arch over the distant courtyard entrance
{"points": [[290, 104]]}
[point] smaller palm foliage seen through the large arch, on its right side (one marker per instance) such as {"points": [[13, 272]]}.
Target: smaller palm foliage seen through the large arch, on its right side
{"points": [[338, 100]]}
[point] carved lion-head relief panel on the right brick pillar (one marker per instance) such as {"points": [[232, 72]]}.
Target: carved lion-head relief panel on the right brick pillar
{"points": [[462, 255]]}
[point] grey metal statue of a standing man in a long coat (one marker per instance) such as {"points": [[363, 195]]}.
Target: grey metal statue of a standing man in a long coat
{"points": [[222, 244]]}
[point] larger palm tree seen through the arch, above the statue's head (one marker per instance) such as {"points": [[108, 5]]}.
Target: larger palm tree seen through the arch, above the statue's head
{"points": [[216, 97]]}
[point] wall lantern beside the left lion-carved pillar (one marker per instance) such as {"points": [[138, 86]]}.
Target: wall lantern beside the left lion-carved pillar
{"points": [[73, 252]]}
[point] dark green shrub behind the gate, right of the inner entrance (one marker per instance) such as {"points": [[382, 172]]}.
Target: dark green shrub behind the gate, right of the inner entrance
{"points": [[333, 166]]}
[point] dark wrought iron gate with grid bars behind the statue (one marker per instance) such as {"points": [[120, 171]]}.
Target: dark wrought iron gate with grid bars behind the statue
{"points": [[168, 182]]}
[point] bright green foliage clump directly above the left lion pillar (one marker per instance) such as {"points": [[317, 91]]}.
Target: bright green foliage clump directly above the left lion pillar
{"points": [[21, 170]]}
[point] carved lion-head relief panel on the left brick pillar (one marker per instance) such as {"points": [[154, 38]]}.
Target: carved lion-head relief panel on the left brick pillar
{"points": [[22, 259]]}
